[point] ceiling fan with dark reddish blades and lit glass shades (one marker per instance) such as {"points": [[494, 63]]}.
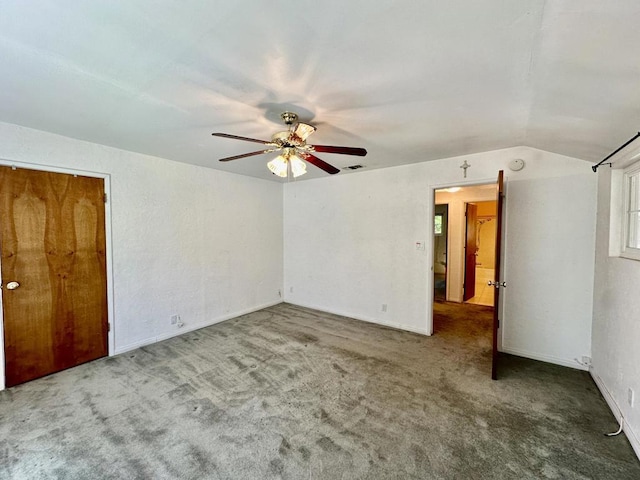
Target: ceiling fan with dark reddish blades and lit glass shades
{"points": [[293, 146]]}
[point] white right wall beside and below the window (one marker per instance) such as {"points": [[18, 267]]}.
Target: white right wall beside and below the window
{"points": [[616, 321]]}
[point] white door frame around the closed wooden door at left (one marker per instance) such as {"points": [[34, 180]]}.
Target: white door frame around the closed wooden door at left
{"points": [[109, 265]]}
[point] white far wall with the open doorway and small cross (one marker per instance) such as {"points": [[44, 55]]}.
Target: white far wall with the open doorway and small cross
{"points": [[350, 247]]}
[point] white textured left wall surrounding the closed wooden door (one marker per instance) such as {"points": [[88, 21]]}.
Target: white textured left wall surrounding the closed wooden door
{"points": [[186, 240]]}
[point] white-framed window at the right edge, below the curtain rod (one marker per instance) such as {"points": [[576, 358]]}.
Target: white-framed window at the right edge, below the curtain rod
{"points": [[631, 220]]}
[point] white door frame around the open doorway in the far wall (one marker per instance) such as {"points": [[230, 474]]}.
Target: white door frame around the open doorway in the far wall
{"points": [[430, 284]]}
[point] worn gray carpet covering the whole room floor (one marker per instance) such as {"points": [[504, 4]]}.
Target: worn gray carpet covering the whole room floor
{"points": [[293, 393]]}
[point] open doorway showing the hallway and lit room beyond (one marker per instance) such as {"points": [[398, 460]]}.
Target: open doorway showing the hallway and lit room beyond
{"points": [[465, 313]]}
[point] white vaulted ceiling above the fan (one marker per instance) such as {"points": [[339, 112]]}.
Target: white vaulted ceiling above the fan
{"points": [[408, 80]]}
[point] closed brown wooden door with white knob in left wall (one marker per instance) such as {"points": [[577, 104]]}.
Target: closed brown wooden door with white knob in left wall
{"points": [[53, 243]]}
